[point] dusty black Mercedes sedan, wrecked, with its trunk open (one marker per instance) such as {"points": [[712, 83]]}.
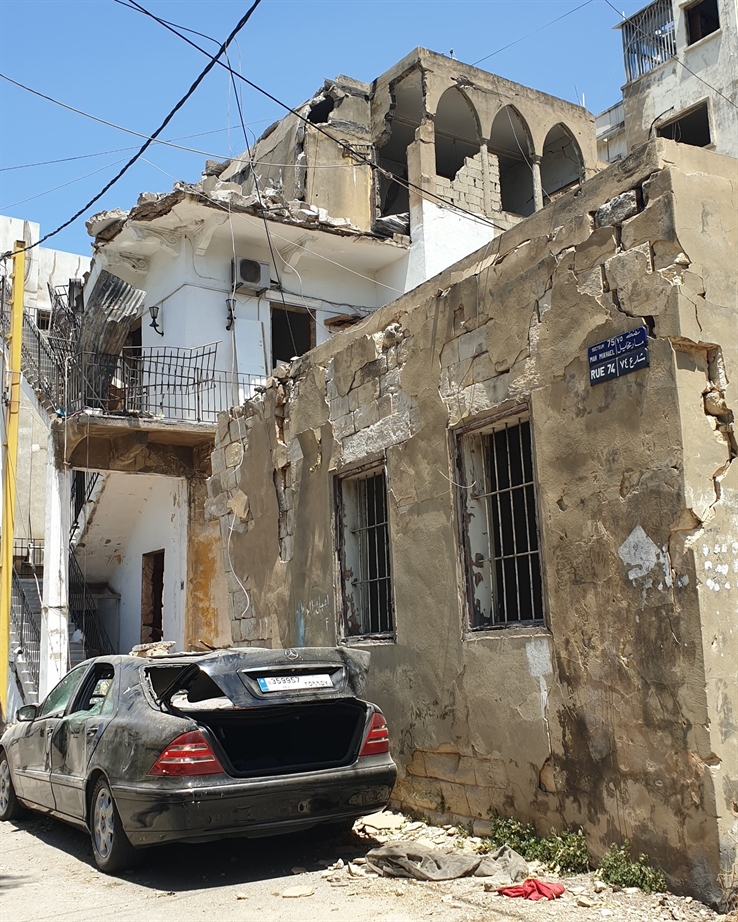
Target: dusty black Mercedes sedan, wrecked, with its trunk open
{"points": [[196, 747]]}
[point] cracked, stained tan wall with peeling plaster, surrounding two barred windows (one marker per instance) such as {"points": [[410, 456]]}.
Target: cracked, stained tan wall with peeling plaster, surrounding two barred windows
{"points": [[616, 713]]}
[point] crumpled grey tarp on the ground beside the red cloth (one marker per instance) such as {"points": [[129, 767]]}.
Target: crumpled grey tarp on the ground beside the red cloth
{"points": [[407, 859]]}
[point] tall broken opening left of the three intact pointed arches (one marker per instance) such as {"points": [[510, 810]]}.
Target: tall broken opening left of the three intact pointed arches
{"points": [[404, 120]]}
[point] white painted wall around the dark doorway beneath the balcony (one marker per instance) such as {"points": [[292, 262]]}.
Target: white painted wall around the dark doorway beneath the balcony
{"points": [[136, 514]]}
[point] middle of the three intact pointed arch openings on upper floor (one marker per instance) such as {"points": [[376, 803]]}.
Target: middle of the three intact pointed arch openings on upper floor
{"points": [[510, 141]]}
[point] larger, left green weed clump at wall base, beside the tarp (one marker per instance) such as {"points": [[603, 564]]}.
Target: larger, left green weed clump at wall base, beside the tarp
{"points": [[565, 850]]}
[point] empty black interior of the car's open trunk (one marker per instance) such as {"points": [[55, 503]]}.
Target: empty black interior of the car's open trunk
{"points": [[284, 740]]}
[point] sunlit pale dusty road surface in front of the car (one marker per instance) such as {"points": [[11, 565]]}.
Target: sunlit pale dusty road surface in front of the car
{"points": [[47, 872]]}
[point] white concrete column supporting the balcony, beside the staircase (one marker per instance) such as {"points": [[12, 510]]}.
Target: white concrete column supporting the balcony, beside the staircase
{"points": [[55, 603]]}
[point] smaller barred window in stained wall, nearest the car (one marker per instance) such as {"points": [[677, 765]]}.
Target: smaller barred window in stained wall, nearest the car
{"points": [[364, 555]]}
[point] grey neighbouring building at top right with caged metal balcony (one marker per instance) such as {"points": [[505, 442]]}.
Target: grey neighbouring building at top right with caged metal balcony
{"points": [[694, 101]]}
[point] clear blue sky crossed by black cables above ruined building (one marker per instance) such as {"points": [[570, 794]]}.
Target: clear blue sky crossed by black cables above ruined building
{"points": [[116, 64]]}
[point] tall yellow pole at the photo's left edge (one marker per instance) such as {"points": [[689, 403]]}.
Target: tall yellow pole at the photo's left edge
{"points": [[12, 411]]}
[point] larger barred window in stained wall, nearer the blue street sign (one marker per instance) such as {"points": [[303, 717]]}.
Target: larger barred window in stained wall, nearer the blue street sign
{"points": [[500, 525]]}
